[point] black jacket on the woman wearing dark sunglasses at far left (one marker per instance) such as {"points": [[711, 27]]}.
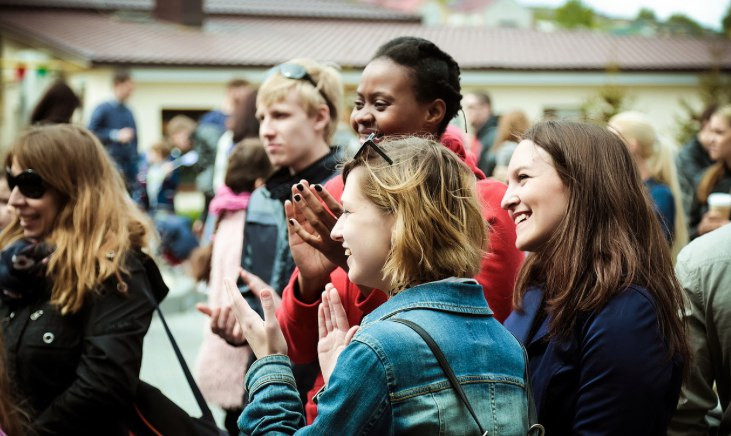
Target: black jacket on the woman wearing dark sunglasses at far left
{"points": [[77, 374]]}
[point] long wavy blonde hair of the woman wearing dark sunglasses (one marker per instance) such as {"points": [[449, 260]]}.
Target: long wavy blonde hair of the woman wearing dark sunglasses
{"points": [[97, 223]]}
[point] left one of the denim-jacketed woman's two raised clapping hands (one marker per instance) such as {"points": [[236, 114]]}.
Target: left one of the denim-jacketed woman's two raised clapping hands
{"points": [[263, 335]]}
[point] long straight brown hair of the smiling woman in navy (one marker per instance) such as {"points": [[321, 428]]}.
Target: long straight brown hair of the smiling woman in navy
{"points": [[609, 239]]}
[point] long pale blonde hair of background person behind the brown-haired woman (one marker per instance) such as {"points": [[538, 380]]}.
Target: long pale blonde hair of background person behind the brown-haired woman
{"points": [[660, 158]]}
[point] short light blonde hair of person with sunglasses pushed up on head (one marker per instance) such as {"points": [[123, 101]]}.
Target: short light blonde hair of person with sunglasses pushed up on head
{"points": [[276, 87]]}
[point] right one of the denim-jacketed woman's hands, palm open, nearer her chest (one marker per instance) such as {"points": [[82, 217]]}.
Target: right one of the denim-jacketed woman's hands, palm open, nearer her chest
{"points": [[335, 331]]}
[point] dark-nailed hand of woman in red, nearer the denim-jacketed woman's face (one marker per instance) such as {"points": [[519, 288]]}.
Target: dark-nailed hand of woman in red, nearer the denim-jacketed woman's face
{"points": [[318, 212]]}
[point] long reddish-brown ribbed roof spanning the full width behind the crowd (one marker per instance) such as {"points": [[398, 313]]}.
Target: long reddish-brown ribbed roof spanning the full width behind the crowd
{"points": [[246, 41]]}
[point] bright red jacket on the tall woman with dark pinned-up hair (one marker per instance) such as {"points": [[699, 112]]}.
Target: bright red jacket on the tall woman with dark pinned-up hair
{"points": [[497, 276]]}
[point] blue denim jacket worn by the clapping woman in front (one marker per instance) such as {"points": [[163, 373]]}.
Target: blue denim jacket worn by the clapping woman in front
{"points": [[387, 381]]}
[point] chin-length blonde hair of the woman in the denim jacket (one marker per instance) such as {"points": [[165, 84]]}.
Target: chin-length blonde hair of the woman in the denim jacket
{"points": [[439, 231]]}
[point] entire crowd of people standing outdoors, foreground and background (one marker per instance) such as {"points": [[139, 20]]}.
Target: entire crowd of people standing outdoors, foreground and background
{"points": [[529, 277]]}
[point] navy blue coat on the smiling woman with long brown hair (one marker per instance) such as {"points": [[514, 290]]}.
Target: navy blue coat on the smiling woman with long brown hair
{"points": [[610, 376]]}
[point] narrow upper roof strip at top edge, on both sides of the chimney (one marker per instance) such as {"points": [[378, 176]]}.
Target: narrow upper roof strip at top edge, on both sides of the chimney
{"points": [[322, 9]]}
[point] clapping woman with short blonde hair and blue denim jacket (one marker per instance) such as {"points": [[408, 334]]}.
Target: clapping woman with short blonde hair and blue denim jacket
{"points": [[412, 230]]}
